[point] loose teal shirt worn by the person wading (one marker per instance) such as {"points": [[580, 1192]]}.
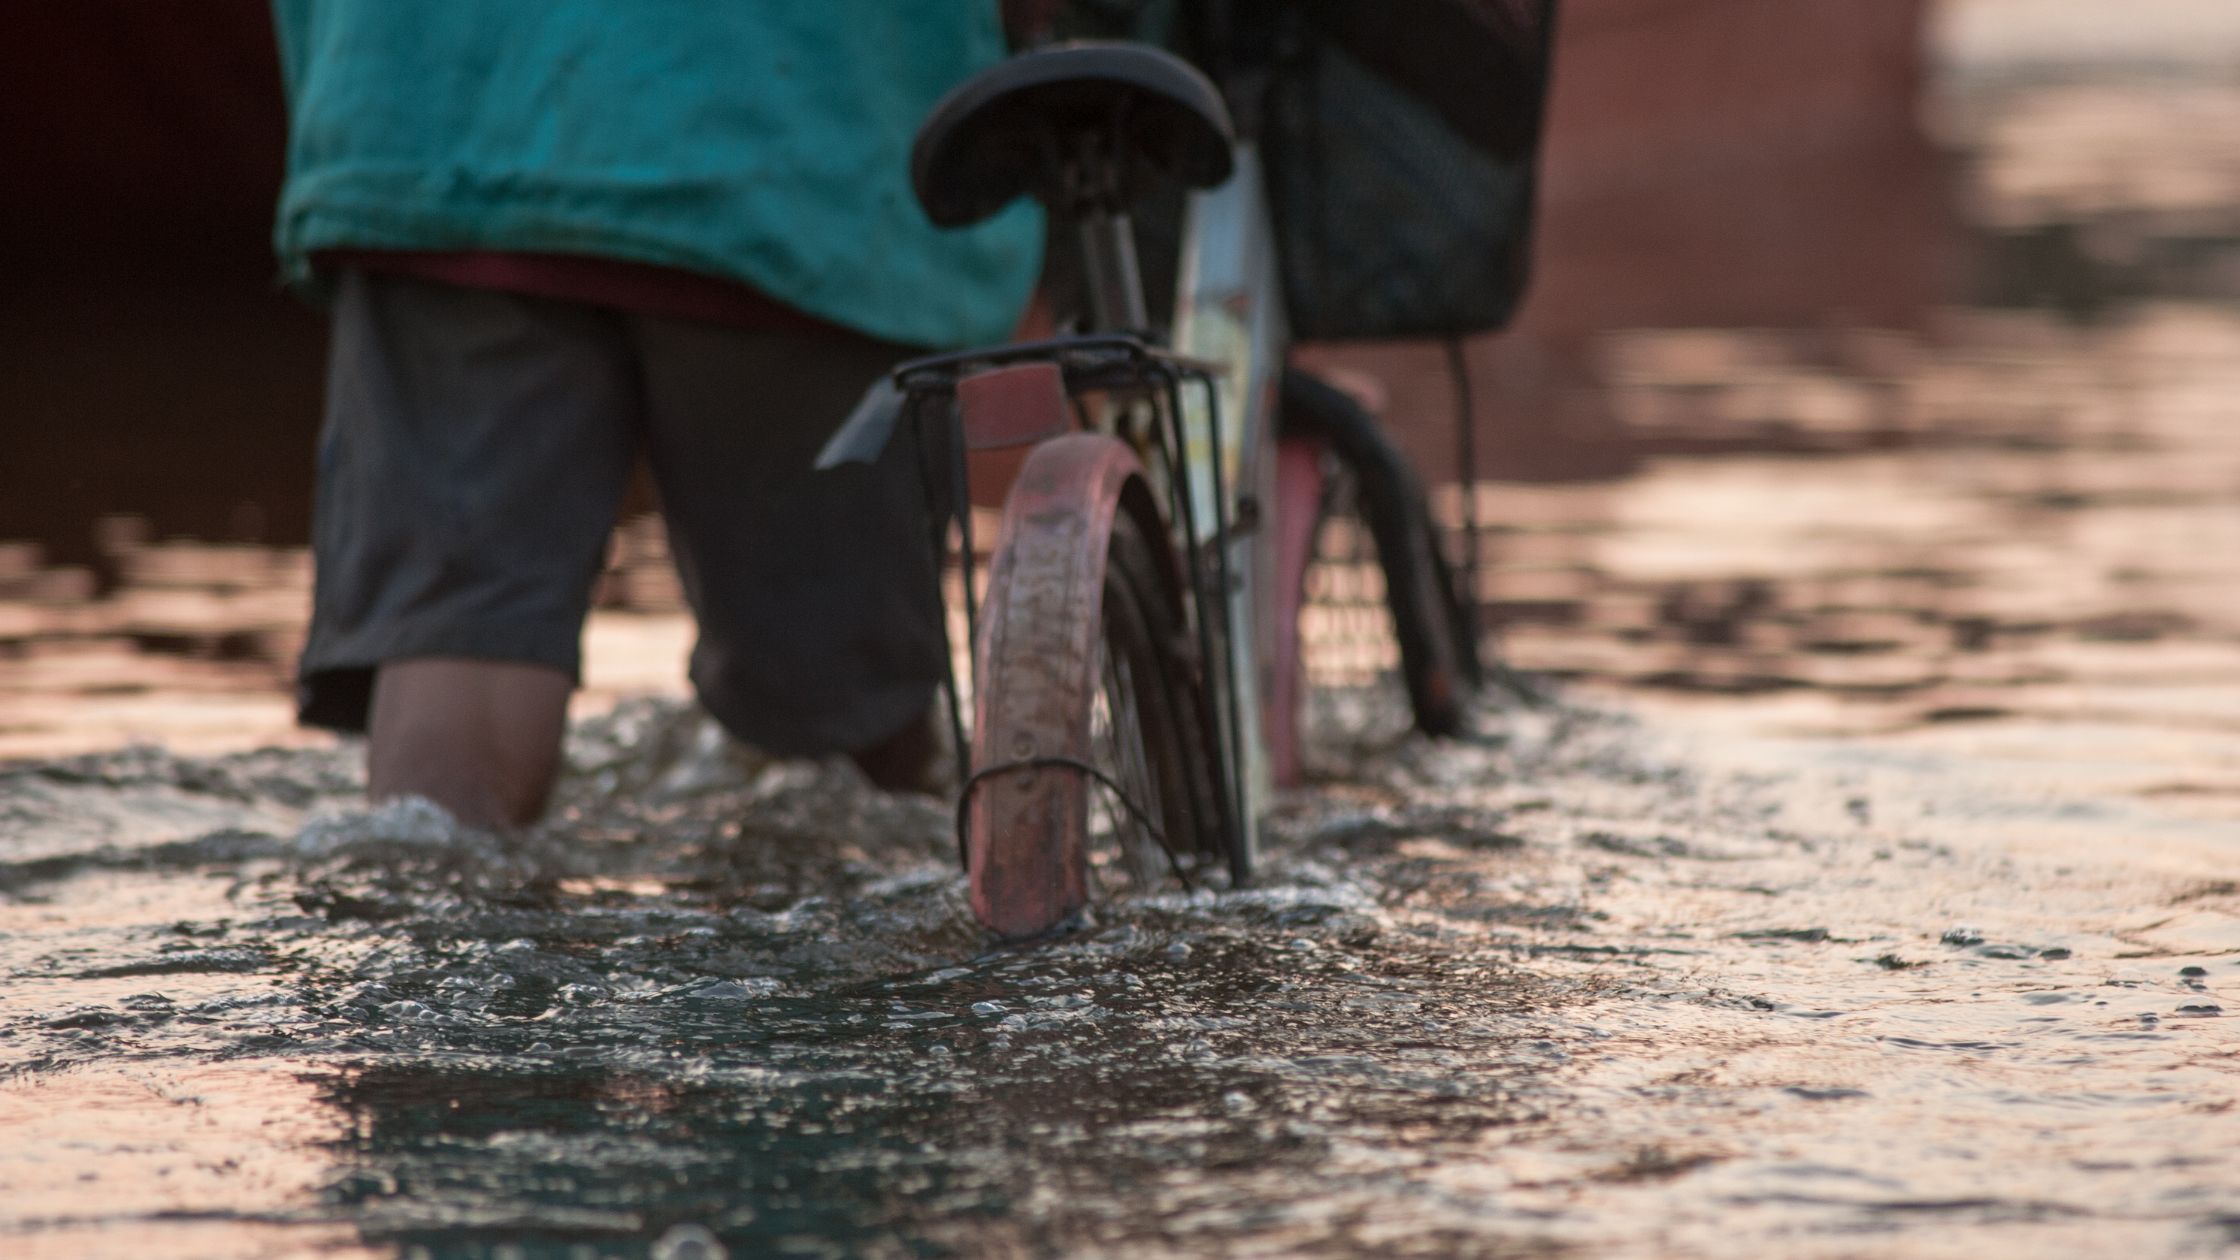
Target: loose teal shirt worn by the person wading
{"points": [[752, 140]]}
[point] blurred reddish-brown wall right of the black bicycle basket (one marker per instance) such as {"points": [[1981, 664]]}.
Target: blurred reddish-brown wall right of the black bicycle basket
{"points": [[1708, 163]]}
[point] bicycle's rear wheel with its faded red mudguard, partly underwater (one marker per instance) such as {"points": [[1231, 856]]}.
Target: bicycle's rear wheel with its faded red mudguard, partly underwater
{"points": [[1081, 640]]}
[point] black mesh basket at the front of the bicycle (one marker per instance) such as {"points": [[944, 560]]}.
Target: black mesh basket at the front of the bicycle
{"points": [[1401, 145]]}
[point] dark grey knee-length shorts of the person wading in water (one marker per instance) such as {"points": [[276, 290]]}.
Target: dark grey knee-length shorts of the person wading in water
{"points": [[478, 447]]}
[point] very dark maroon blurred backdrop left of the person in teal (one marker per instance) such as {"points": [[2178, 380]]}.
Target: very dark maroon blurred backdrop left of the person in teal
{"points": [[147, 362]]}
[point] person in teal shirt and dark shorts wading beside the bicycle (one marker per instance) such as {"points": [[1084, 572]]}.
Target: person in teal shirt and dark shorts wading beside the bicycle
{"points": [[563, 237]]}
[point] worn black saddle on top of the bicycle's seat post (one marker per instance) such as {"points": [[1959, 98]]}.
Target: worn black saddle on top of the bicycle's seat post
{"points": [[1007, 131]]}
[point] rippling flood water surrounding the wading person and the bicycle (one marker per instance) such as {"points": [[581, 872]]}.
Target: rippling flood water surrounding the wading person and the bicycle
{"points": [[1869, 891]]}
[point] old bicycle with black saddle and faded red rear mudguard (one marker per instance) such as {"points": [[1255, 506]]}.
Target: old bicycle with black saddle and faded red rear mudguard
{"points": [[1137, 647]]}
